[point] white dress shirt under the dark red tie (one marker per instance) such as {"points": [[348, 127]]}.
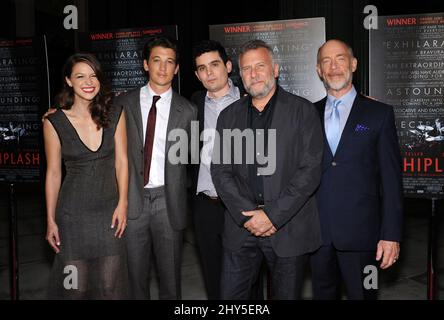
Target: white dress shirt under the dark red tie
{"points": [[163, 105]]}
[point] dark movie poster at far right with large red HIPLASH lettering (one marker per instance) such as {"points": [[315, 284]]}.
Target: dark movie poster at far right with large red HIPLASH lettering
{"points": [[407, 72]]}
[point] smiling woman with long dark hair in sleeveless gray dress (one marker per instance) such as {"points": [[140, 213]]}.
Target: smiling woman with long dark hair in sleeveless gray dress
{"points": [[87, 212]]}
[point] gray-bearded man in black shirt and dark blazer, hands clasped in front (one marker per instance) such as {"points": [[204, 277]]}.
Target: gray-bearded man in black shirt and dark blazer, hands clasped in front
{"points": [[271, 211]]}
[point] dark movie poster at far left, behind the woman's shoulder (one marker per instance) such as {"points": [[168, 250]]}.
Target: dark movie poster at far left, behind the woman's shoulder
{"points": [[23, 93]]}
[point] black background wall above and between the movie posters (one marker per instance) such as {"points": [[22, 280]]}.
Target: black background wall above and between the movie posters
{"points": [[343, 20]]}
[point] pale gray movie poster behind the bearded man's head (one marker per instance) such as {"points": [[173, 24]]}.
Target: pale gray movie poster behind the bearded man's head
{"points": [[295, 44]]}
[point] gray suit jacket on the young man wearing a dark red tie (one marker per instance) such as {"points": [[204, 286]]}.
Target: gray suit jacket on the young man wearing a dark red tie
{"points": [[181, 114]]}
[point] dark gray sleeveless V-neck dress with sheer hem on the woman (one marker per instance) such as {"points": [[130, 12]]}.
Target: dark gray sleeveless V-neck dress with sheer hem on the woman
{"points": [[92, 262]]}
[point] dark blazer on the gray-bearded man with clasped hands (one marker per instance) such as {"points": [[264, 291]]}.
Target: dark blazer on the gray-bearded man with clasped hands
{"points": [[288, 192]]}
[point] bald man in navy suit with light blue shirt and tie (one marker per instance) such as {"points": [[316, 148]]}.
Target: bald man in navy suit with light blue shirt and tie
{"points": [[360, 196]]}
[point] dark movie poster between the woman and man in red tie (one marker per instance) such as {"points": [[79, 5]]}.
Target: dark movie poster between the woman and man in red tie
{"points": [[120, 53]]}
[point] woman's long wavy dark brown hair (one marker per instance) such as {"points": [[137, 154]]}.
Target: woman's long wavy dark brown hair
{"points": [[100, 105]]}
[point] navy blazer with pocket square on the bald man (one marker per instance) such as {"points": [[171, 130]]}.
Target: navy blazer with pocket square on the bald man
{"points": [[360, 196]]}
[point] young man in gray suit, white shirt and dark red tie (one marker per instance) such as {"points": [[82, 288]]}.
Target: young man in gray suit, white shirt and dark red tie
{"points": [[157, 195]]}
